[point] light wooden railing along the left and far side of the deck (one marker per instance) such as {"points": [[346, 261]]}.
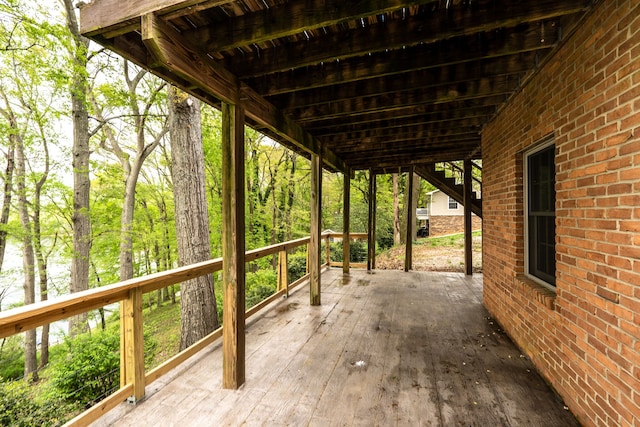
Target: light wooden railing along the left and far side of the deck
{"points": [[129, 293]]}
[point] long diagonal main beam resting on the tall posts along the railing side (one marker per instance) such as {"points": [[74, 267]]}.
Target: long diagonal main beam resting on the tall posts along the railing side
{"points": [[169, 50]]}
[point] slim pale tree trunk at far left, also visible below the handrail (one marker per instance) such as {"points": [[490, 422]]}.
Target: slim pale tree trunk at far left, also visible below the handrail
{"points": [[28, 263]]}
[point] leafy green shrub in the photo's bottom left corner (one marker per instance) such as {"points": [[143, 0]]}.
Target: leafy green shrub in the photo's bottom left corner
{"points": [[21, 406]]}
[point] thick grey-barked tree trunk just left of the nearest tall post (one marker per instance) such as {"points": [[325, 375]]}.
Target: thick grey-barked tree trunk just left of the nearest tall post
{"points": [[198, 306]]}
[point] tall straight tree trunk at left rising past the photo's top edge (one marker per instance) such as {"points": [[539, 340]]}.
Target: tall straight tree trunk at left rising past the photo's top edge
{"points": [[81, 180]]}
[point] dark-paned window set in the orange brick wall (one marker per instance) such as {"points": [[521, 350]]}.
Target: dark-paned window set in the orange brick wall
{"points": [[540, 219]]}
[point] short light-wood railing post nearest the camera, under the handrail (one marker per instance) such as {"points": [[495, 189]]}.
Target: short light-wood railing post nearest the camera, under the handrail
{"points": [[132, 344]]}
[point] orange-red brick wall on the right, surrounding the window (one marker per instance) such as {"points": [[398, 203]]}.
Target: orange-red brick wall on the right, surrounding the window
{"points": [[585, 339]]}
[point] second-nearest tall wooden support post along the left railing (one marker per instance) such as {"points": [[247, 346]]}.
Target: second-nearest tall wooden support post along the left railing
{"points": [[316, 224]]}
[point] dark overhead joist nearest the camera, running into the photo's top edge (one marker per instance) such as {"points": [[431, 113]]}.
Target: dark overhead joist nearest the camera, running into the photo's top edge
{"points": [[290, 18]]}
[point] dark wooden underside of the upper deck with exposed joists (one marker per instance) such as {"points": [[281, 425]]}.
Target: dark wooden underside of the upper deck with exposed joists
{"points": [[381, 84]]}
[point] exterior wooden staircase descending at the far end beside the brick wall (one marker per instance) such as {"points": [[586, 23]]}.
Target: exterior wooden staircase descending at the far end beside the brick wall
{"points": [[448, 178]]}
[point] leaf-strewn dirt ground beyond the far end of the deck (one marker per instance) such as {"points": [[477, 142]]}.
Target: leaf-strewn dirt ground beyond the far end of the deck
{"points": [[428, 257]]}
